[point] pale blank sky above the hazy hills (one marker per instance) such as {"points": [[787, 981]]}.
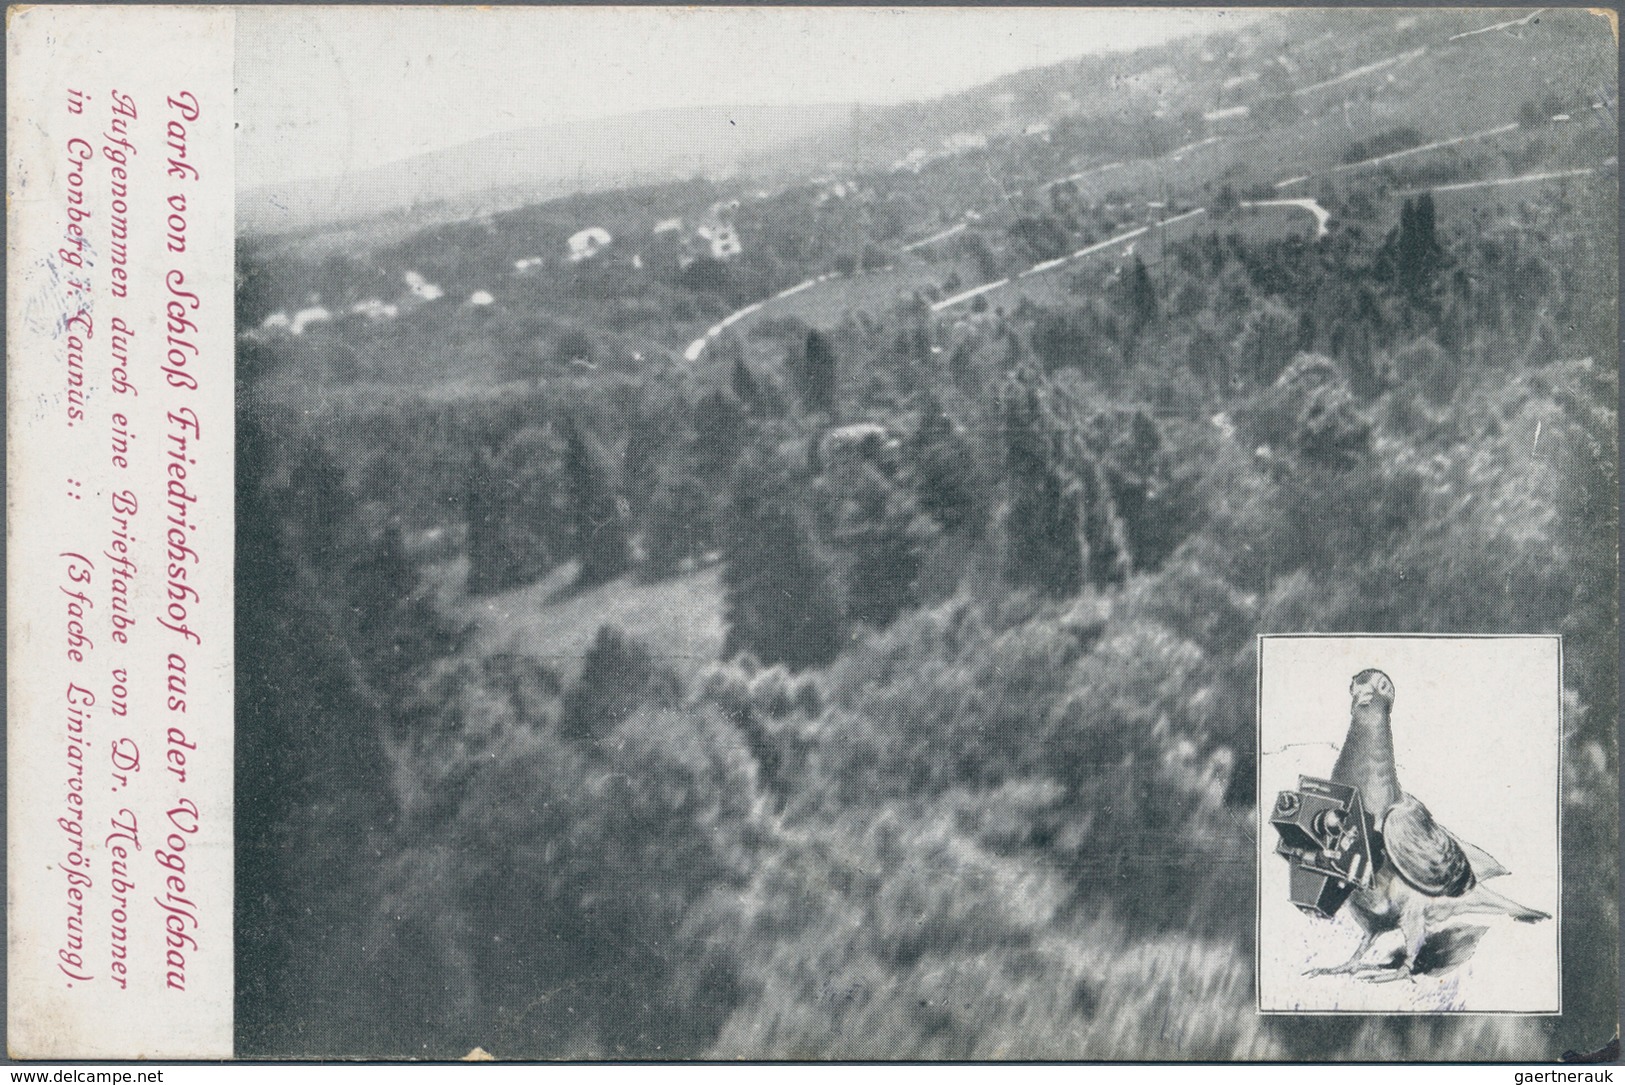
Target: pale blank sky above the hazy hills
{"points": [[327, 90]]}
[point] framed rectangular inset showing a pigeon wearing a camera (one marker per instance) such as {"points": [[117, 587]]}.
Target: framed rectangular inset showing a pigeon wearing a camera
{"points": [[1410, 806]]}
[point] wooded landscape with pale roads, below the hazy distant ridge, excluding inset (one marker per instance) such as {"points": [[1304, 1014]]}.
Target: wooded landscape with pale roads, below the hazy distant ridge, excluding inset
{"points": [[820, 620]]}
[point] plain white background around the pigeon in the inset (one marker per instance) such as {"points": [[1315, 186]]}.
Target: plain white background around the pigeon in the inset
{"points": [[1476, 740]]}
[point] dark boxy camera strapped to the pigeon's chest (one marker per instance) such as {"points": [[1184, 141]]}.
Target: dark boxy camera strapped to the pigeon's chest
{"points": [[1330, 841]]}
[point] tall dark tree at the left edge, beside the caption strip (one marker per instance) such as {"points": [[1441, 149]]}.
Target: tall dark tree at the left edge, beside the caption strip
{"points": [[308, 761]]}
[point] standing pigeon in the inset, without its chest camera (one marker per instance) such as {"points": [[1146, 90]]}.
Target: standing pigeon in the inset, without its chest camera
{"points": [[1431, 876]]}
